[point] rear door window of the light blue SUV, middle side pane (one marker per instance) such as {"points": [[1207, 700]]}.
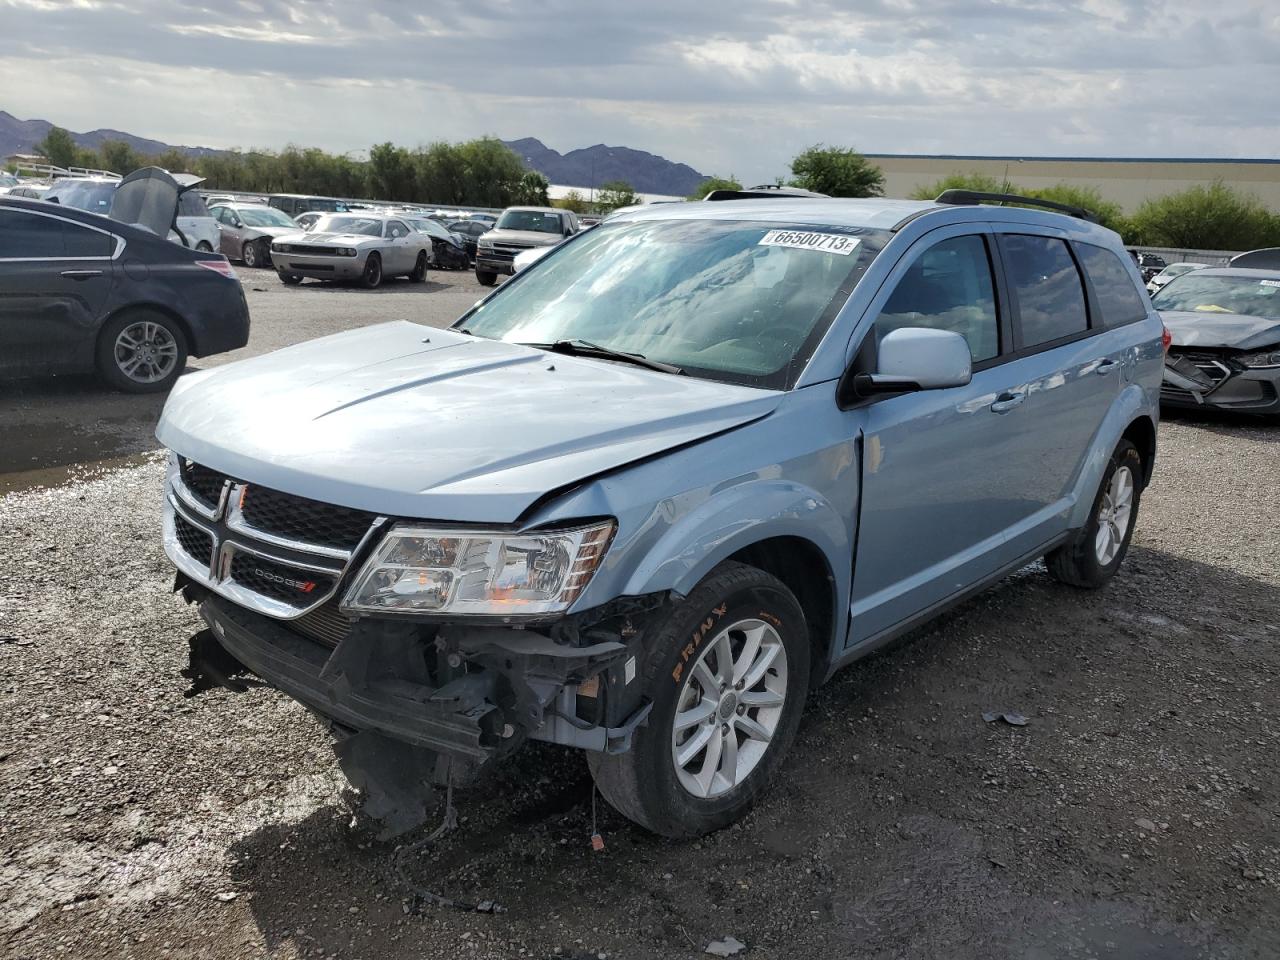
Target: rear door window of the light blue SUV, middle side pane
{"points": [[1048, 287]]}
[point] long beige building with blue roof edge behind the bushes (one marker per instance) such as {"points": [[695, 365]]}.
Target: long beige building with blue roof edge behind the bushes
{"points": [[1124, 181]]}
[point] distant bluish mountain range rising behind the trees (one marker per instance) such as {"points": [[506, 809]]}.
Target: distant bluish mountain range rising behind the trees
{"points": [[584, 168]]}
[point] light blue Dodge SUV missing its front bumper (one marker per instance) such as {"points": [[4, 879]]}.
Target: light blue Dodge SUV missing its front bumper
{"points": [[655, 490]]}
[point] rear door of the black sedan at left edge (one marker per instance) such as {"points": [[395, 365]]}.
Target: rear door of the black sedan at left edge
{"points": [[56, 276]]}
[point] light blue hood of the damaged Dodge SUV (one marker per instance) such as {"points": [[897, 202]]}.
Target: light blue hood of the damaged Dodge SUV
{"points": [[413, 422]]}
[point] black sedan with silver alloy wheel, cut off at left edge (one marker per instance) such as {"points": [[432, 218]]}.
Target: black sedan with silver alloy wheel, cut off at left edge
{"points": [[83, 292]]}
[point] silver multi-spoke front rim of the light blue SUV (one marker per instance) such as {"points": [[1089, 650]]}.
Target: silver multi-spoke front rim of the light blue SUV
{"points": [[729, 708]]}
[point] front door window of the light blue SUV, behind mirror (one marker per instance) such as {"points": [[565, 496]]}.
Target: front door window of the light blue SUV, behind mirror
{"points": [[949, 287]]}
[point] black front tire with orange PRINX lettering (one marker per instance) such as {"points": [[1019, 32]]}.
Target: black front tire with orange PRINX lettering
{"points": [[644, 784]]}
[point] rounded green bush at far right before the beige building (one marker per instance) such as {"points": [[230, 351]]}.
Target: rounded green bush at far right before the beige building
{"points": [[1210, 217]]}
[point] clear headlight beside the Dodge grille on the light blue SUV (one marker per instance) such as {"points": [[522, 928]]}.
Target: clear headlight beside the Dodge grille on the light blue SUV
{"points": [[420, 570]]}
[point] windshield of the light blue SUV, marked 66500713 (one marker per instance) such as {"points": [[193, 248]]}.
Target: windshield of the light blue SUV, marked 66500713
{"points": [[738, 301]]}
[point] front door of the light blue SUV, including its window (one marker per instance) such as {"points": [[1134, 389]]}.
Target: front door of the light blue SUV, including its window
{"points": [[941, 486]]}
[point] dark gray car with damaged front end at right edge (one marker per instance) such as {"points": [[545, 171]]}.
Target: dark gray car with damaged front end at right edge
{"points": [[1226, 350]]}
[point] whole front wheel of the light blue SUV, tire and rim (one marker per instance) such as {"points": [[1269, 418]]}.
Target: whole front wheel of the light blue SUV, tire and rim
{"points": [[729, 680]]}
